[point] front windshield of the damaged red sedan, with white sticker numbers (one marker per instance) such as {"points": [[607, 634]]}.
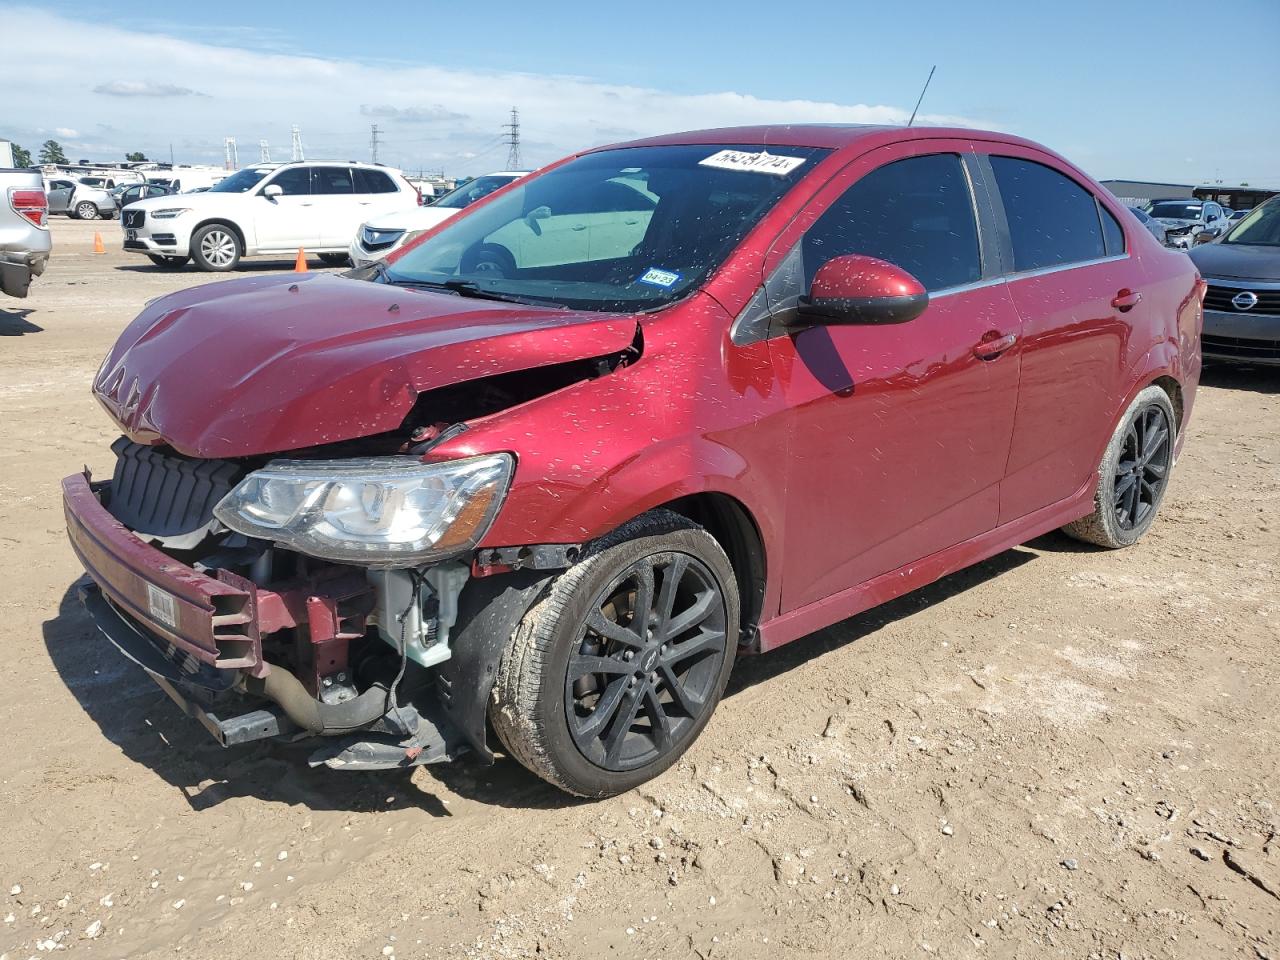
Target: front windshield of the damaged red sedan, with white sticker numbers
{"points": [[621, 230]]}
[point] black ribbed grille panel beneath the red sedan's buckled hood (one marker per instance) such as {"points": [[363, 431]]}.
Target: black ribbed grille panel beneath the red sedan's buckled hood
{"points": [[163, 495]]}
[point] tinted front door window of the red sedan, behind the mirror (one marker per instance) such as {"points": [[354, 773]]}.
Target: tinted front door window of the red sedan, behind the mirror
{"points": [[916, 214]]}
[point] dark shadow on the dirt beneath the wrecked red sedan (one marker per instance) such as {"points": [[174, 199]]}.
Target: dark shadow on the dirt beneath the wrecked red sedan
{"points": [[135, 716]]}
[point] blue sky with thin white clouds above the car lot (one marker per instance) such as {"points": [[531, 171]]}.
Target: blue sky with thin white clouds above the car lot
{"points": [[1162, 90]]}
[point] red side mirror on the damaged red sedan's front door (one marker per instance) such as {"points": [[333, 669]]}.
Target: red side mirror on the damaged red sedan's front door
{"points": [[861, 290]]}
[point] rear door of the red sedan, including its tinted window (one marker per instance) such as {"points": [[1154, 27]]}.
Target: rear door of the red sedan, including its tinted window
{"points": [[1078, 294]]}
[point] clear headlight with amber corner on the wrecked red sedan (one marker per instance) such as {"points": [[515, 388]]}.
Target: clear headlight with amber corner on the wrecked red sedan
{"points": [[383, 511]]}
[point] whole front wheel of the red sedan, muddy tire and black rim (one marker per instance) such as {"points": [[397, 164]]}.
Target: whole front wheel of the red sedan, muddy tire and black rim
{"points": [[666, 685]]}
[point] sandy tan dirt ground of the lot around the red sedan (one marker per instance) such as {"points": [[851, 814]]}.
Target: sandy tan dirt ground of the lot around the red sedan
{"points": [[1062, 753]]}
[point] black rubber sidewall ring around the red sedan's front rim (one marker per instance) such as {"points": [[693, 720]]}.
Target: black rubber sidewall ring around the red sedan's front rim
{"points": [[574, 770]]}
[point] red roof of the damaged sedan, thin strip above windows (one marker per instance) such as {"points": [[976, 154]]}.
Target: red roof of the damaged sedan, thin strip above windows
{"points": [[833, 136]]}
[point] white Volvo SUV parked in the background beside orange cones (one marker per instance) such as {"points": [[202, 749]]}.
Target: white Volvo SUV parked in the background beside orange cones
{"points": [[267, 209]]}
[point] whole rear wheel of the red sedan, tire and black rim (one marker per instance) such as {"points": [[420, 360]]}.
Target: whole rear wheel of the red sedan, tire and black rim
{"points": [[1133, 476]]}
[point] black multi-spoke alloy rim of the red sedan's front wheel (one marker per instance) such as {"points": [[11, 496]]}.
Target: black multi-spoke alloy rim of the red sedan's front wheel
{"points": [[648, 662]]}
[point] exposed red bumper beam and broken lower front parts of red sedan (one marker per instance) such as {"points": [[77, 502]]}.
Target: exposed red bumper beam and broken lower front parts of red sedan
{"points": [[200, 638]]}
